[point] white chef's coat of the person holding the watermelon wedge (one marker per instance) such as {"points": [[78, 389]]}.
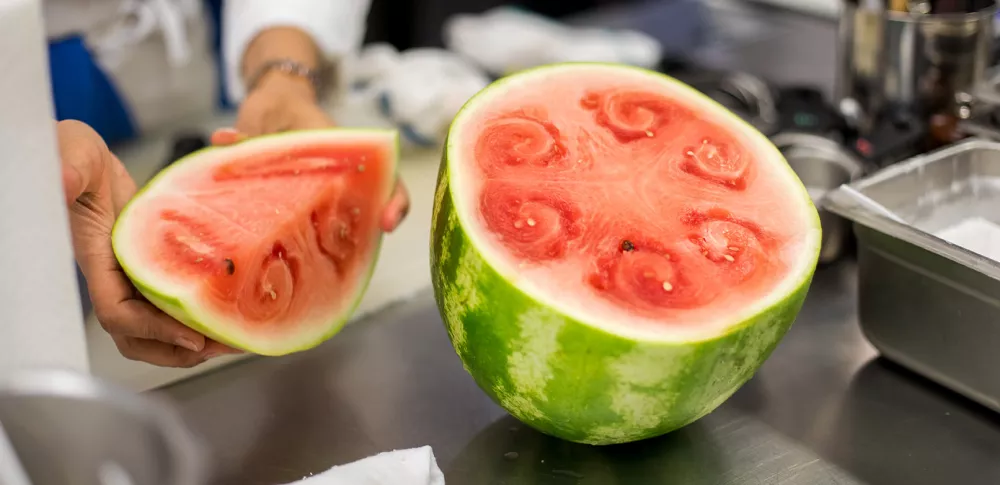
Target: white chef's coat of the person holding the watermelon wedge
{"points": [[157, 53]]}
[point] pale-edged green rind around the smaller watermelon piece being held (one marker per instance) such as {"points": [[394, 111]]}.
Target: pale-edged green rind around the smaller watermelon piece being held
{"points": [[217, 330]]}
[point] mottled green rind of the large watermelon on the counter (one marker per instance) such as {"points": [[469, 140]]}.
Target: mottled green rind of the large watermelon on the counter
{"points": [[569, 378]]}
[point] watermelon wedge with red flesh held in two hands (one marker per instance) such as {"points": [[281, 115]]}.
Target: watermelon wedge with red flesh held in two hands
{"points": [[266, 245]]}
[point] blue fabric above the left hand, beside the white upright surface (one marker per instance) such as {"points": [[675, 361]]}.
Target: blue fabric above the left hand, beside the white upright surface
{"points": [[81, 91]]}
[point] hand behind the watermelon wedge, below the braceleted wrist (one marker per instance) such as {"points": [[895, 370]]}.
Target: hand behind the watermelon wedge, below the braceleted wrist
{"points": [[284, 103]]}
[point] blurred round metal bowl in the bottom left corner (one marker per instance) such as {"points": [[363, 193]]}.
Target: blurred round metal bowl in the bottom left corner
{"points": [[70, 429]]}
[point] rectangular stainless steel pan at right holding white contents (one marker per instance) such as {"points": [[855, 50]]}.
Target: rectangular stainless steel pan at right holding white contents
{"points": [[925, 303]]}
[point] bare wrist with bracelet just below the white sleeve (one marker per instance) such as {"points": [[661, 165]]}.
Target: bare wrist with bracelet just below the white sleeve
{"points": [[280, 43]]}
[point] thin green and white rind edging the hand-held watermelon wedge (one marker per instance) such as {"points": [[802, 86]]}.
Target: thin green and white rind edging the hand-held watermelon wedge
{"points": [[177, 309]]}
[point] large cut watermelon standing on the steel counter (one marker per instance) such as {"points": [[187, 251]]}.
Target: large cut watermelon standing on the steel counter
{"points": [[613, 253]]}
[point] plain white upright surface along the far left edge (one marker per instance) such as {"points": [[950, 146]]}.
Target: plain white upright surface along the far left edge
{"points": [[40, 320]]}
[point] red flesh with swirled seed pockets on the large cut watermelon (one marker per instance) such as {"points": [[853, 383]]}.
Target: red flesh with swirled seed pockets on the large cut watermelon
{"points": [[630, 204]]}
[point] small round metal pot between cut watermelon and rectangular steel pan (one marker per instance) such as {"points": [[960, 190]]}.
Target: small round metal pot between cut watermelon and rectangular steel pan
{"points": [[822, 165]]}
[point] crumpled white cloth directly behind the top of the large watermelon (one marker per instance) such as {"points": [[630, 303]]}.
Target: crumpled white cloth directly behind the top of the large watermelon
{"points": [[507, 39]]}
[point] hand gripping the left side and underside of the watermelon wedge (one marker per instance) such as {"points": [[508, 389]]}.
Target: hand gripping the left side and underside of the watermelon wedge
{"points": [[97, 188]]}
